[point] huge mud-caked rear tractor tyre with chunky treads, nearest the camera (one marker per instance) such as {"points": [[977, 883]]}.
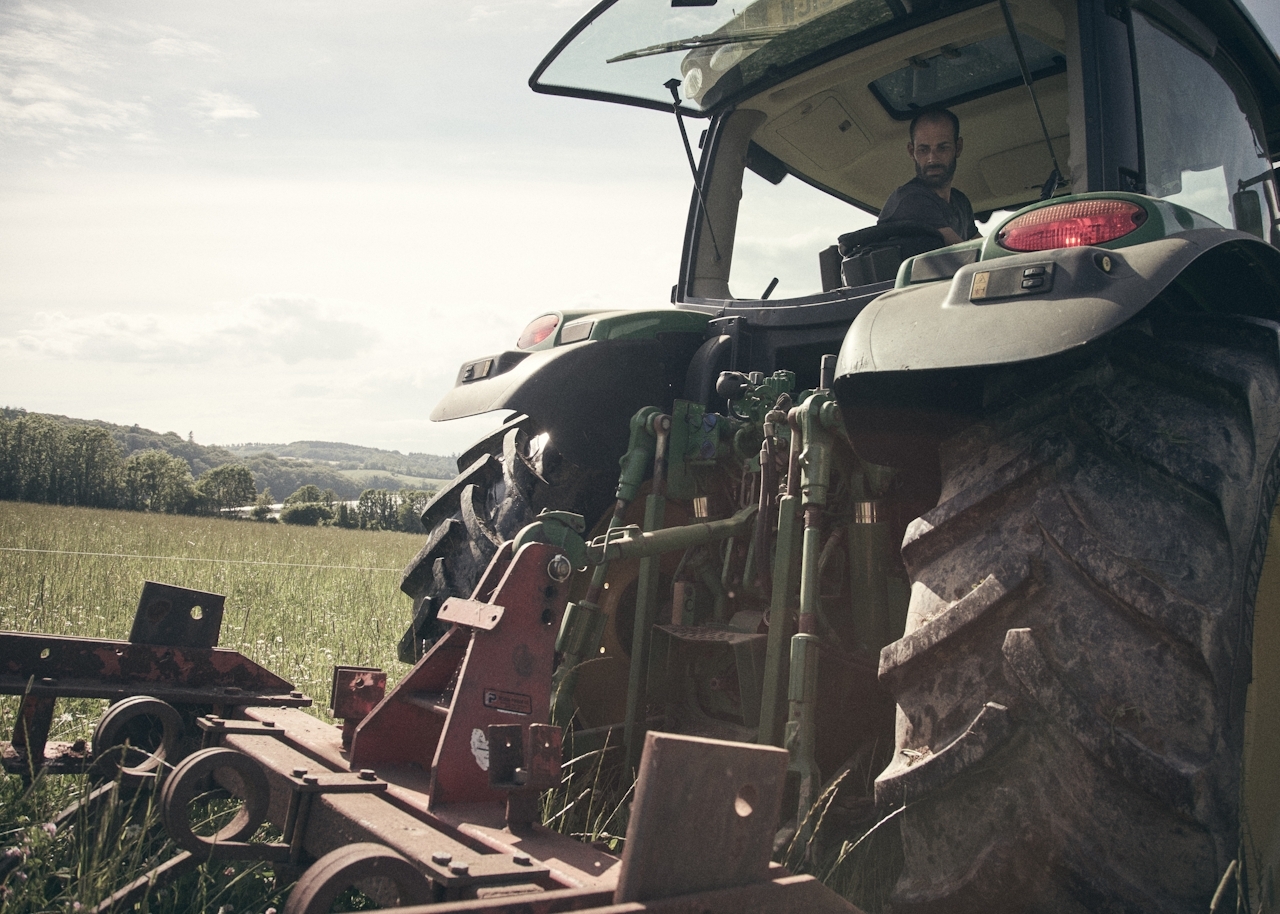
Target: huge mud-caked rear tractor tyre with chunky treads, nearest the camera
{"points": [[1073, 677]]}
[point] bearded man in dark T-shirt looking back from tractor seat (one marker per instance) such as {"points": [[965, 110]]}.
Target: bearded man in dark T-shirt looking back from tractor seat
{"points": [[935, 145]]}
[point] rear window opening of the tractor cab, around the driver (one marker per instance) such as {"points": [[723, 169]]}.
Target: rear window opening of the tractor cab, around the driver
{"points": [[834, 141]]}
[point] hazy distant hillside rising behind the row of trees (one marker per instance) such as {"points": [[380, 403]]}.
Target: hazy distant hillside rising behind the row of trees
{"points": [[348, 469]]}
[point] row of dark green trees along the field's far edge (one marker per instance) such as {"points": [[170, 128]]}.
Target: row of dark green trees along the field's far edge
{"points": [[84, 465]]}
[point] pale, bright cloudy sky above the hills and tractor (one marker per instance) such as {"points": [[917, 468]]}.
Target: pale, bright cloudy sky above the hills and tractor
{"points": [[281, 222]]}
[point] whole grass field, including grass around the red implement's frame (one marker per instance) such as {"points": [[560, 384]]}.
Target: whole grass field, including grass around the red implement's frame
{"points": [[299, 600]]}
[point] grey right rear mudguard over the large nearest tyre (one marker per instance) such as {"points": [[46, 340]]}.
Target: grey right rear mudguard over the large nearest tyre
{"points": [[912, 367]]}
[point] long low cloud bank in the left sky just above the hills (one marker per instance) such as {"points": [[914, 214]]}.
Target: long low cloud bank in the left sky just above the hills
{"points": [[268, 328]]}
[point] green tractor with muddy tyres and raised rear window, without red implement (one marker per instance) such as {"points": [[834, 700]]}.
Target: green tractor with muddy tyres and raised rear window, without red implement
{"points": [[979, 532]]}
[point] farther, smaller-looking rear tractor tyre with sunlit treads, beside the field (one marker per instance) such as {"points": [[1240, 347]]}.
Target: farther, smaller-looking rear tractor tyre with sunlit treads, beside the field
{"points": [[504, 482]]}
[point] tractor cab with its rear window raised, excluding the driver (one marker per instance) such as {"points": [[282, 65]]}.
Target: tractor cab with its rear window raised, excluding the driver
{"points": [[808, 106]]}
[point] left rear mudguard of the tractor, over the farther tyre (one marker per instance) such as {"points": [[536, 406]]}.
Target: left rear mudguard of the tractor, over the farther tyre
{"points": [[584, 394]]}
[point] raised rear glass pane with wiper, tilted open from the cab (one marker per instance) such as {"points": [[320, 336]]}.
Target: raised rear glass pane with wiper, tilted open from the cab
{"points": [[630, 51]]}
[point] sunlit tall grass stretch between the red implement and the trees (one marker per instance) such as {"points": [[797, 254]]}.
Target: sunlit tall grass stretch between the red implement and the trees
{"points": [[299, 600]]}
